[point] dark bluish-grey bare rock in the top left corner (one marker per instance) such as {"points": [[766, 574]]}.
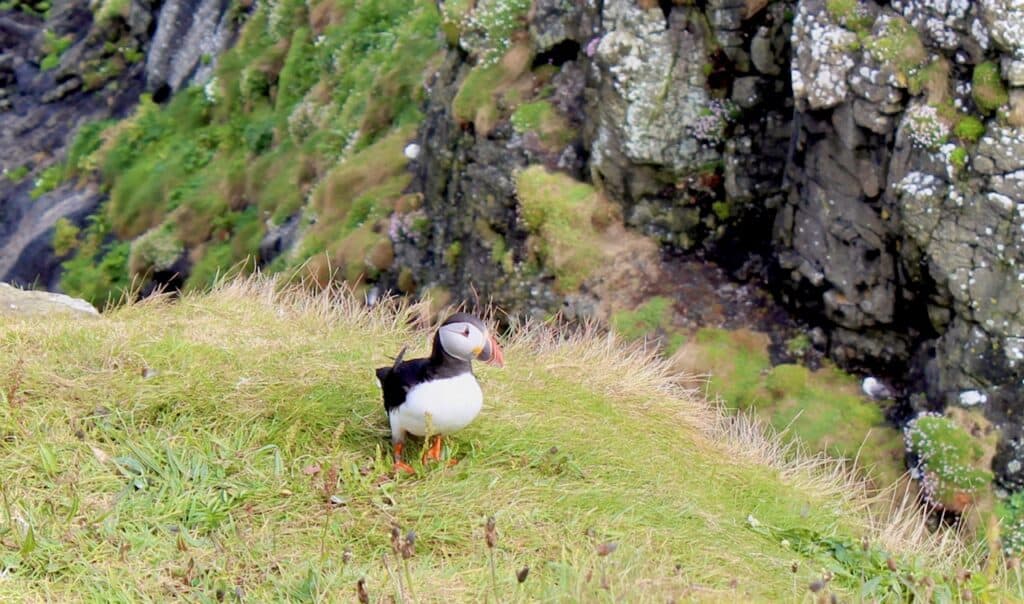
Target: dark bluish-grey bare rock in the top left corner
{"points": [[40, 111]]}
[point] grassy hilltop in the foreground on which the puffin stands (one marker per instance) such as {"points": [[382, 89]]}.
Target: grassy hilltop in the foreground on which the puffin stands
{"points": [[233, 446]]}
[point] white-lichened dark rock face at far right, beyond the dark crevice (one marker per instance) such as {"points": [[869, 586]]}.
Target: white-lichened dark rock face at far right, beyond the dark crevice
{"points": [[904, 231]]}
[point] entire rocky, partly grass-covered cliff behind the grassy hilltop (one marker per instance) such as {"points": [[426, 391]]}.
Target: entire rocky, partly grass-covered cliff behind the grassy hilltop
{"points": [[864, 158]]}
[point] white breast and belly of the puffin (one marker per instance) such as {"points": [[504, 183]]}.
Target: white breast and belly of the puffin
{"points": [[451, 403]]}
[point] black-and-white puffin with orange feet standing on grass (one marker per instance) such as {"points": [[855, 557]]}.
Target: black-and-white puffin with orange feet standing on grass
{"points": [[439, 394]]}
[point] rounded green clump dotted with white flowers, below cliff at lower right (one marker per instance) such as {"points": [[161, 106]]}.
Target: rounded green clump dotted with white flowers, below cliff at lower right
{"points": [[947, 458]]}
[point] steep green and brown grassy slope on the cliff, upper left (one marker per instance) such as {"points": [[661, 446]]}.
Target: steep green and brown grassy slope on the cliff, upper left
{"points": [[311, 91]]}
